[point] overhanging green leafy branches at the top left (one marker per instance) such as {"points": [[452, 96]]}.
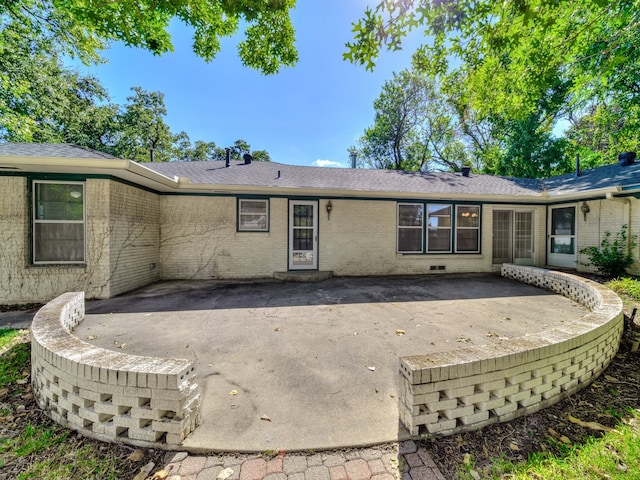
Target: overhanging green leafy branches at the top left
{"points": [[83, 28]]}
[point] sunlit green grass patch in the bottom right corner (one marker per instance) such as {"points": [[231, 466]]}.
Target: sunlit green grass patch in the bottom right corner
{"points": [[615, 455]]}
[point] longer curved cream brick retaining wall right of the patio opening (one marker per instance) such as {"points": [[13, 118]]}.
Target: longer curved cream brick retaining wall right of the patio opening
{"points": [[450, 392]]}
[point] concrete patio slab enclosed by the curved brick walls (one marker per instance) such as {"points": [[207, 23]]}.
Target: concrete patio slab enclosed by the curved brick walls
{"points": [[300, 366]]}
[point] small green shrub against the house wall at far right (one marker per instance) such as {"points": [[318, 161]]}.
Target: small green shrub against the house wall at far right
{"points": [[612, 258]]}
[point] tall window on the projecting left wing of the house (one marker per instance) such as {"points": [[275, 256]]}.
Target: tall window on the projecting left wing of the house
{"points": [[58, 222]]}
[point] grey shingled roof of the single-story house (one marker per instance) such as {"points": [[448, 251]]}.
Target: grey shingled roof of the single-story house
{"points": [[272, 174]]}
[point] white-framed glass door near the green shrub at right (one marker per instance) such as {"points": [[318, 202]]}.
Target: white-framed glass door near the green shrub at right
{"points": [[562, 237]]}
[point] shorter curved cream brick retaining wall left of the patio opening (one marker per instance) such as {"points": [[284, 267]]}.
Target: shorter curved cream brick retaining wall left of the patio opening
{"points": [[144, 401]]}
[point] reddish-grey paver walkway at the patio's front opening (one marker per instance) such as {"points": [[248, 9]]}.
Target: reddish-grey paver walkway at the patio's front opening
{"points": [[405, 460]]}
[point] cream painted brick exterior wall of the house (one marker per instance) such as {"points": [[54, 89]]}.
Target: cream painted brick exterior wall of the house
{"points": [[135, 237]]}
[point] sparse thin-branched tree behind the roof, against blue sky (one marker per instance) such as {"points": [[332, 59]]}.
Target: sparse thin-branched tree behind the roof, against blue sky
{"points": [[414, 128]]}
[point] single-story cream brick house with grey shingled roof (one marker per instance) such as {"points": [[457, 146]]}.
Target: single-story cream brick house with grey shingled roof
{"points": [[74, 219]]}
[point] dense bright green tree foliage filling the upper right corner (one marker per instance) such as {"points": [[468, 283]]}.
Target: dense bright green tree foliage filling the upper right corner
{"points": [[514, 69]]}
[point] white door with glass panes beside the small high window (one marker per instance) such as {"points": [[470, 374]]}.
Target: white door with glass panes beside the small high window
{"points": [[303, 235]]}
